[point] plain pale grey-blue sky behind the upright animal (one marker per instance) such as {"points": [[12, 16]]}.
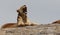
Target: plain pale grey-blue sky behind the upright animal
{"points": [[40, 11]]}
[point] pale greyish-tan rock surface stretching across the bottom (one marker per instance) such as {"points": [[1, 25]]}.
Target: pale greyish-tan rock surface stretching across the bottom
{"points": [[47, 29]]}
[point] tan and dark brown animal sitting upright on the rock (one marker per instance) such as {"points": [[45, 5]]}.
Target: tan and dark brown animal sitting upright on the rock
{"points": [[22, 16]]}
